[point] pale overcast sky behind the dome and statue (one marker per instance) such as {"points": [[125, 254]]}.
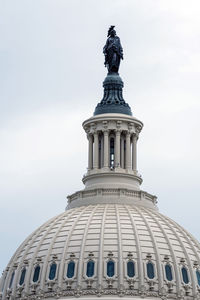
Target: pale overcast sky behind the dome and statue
{"points": [[51, 73]]}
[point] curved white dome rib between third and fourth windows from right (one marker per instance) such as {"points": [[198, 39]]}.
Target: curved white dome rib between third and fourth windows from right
{"points": [[158, 266]]}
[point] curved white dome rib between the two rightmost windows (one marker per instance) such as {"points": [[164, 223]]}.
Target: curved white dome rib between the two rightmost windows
{"points": [[170, 225]]}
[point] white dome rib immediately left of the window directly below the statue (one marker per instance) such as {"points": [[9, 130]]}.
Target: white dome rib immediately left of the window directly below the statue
{"points": [[101, 248]]}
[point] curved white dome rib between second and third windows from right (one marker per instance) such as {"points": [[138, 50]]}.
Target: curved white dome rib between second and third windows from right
{"points": [[177, 276]]}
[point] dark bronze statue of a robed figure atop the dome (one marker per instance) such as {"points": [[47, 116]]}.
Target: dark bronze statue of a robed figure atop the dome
{"points": [[113, 51]]}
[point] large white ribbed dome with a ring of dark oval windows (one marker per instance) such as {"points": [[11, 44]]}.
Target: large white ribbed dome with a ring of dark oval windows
{"points": [[162, 256]]}
